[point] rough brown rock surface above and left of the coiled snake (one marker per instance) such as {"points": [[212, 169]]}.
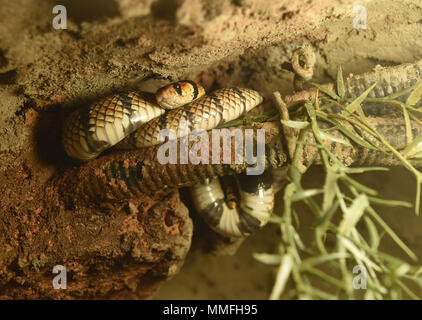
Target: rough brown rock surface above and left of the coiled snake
{"points": [[127, 249]]}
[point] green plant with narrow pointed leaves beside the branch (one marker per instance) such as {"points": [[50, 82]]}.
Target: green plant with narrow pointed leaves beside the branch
{"points": [[339, 205]]}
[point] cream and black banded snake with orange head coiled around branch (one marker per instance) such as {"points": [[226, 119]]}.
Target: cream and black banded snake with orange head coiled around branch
{"points": [[134, 120]]}
